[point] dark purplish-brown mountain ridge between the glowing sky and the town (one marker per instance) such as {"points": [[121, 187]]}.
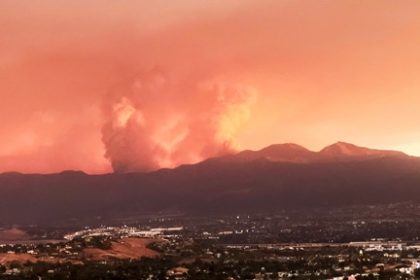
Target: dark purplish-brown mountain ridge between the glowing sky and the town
{"points": [[229, 184]]}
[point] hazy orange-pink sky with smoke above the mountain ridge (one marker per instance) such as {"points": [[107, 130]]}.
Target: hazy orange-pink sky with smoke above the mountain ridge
{"points": [[104, 86]]}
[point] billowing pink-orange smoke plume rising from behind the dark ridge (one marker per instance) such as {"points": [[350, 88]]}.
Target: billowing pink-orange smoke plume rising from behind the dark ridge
{"points": [[154, 121]]}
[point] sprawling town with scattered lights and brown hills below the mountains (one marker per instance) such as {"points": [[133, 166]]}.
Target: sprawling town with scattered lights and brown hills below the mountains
{"points": [[317, 244]]}
